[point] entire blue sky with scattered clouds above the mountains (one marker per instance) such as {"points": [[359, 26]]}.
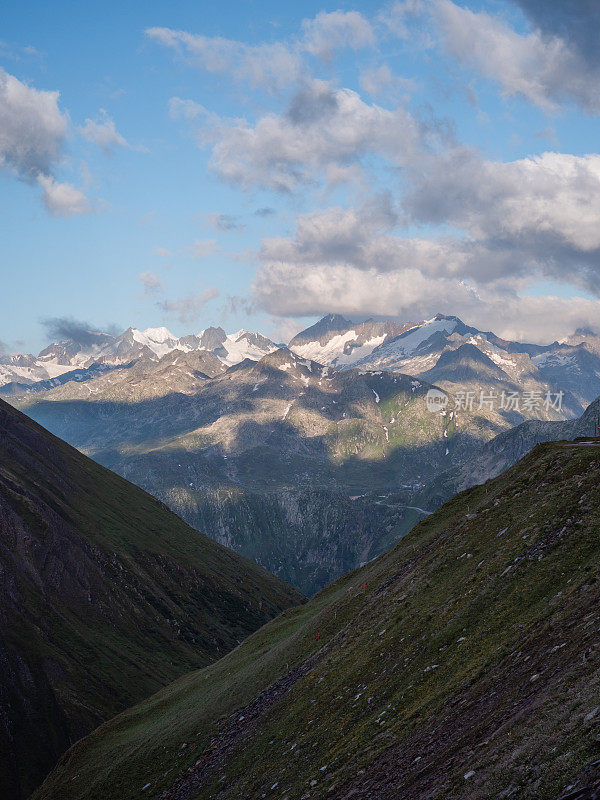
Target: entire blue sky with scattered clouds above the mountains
{"points": [[261, 164]]}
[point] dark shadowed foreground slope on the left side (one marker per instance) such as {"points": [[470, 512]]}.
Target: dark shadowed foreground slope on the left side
{"points": [[105, 596]]}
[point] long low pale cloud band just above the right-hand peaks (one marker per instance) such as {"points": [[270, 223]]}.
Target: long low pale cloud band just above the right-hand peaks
{"points": [[408, 294]]}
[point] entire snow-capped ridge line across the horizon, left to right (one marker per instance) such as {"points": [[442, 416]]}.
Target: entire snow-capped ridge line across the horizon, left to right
{"points": [[571, 366]]}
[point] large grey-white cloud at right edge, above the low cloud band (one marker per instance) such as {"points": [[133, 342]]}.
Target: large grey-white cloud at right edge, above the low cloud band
{"points": [[541, 212]]}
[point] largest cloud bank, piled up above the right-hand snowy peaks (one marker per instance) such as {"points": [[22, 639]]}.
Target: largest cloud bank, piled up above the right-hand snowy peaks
{"points": [[522, 221]]}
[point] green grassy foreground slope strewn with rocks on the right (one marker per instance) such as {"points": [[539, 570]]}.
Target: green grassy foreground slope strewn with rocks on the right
{"points": [[463, 664]]}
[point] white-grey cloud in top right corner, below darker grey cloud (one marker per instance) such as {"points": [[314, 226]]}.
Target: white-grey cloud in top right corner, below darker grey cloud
{"points": [[542, 66]]}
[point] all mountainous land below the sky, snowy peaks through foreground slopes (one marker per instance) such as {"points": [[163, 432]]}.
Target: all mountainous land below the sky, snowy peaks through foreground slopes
{"points": [[468, 627]]}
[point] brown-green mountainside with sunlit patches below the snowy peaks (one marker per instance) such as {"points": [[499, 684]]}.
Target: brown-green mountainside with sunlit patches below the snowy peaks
{"points": [[302, 468]]}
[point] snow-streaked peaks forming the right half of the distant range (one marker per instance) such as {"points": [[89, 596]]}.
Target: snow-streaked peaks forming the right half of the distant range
{"points": [[429, 349]]}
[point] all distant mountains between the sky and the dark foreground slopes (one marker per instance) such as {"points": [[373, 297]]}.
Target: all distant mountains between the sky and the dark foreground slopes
{"points": [[314, 458]]}
